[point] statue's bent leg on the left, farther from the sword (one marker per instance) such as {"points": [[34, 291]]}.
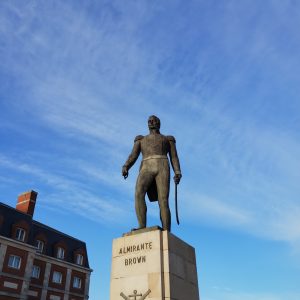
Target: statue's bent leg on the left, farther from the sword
{"points": [[144, 181]]}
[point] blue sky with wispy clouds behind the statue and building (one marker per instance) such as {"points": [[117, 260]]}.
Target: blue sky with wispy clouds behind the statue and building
{"points": [[78, 80]]}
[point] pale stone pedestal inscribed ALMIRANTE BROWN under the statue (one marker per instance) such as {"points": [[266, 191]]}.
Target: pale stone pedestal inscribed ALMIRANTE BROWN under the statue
{"points": [[153, 264]]}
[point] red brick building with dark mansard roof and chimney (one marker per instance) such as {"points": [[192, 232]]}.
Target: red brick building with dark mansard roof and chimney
{"points": [[38, 262]]}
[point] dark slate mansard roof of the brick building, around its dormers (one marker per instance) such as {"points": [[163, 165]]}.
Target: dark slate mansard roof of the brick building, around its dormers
{"points": [[12, 216]]}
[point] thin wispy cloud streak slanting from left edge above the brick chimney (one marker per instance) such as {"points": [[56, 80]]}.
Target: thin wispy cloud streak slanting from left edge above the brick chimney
{"points": [[70, 195]]}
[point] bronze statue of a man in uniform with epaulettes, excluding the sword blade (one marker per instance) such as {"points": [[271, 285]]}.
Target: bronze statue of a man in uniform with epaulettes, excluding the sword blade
{"points": [[154, 175]]}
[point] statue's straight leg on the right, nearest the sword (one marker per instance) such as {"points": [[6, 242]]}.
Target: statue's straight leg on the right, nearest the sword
{"points": [[163, 186]]}
